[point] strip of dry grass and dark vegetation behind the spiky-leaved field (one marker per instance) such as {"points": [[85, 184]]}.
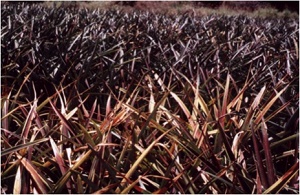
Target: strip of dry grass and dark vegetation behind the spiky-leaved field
{"points": [[260, 9]]}
